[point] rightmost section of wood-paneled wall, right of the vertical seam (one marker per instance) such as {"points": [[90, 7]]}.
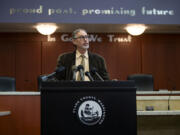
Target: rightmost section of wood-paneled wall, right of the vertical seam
{"points": [[160, 56]]}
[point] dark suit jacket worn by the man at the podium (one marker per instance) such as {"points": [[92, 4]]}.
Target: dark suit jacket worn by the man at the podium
{"points": [[68, 60]]}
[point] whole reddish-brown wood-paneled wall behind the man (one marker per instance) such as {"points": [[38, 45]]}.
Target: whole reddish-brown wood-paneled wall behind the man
{"points": [[28, 55]]}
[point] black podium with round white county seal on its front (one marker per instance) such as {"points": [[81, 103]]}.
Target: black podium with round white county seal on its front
{"points": [[88, 108]]}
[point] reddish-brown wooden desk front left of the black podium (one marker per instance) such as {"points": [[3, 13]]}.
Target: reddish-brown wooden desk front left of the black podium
{"points": [[25, 115]]}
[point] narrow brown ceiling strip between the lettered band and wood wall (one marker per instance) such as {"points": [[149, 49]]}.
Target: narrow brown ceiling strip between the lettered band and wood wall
{"points": [[97, 28]]}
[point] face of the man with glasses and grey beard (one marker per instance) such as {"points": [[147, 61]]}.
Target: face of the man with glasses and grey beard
{"points": [[81, 40]]}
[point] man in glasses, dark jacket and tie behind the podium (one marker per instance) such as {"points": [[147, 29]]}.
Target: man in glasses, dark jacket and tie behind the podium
{"points": [[81, 65]]}
